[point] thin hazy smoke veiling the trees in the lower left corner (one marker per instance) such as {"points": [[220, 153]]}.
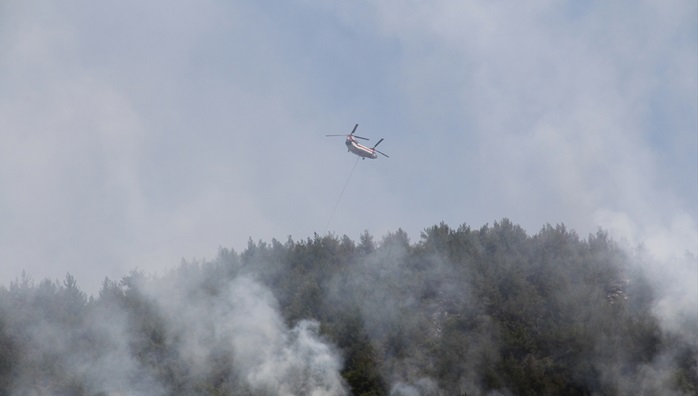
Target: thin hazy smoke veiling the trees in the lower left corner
{"points": [[88, 354]]}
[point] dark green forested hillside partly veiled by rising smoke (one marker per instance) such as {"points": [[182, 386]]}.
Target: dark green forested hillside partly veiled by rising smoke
{"points": [[462, 311]]}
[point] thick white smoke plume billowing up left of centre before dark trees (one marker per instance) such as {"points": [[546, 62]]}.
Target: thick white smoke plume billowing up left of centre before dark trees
{"points": [[244, 321]]}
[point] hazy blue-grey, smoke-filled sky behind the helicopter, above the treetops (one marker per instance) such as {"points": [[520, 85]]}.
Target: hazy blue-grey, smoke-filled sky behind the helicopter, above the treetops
{"points": [[137, 134]]}
